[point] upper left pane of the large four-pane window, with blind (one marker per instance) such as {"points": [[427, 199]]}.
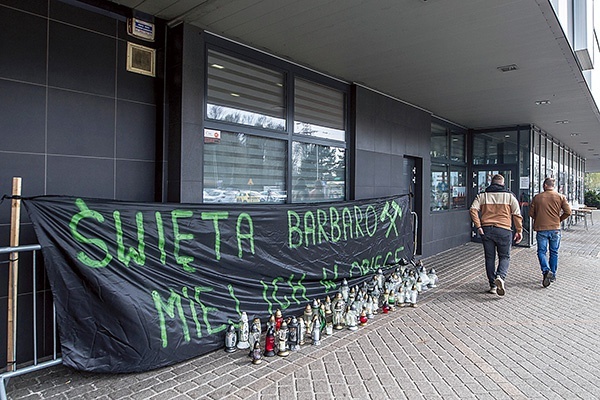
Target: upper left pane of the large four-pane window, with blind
{"points": [[244, 93]]}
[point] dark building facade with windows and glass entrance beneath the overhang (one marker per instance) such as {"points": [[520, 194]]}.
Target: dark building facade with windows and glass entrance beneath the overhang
{"points": [[214, 120]]}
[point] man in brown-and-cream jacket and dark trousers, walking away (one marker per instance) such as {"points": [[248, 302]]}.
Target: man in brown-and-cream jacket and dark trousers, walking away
{"points": [[499, 209]]}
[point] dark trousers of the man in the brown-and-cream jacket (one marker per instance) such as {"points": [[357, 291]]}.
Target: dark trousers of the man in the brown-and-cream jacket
{"points": [[496, 240]]}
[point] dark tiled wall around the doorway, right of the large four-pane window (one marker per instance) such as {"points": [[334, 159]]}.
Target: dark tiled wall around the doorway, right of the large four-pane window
{"points": [[386, 131]]}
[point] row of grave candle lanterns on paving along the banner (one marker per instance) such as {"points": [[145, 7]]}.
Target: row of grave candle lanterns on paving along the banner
{"points": [[350, 308]]}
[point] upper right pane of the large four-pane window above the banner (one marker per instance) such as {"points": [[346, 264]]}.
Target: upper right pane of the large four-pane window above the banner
{"points": [[318, 110]]}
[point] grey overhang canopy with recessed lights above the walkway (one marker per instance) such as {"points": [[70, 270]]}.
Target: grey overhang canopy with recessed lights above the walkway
{"points": [[443, 56]]}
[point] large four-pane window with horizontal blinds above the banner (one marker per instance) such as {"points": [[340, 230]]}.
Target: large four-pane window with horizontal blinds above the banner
{"points": [[263, 158]]}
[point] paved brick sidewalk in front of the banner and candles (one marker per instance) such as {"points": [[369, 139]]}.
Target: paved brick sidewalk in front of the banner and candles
{"points": [[460, 343]]}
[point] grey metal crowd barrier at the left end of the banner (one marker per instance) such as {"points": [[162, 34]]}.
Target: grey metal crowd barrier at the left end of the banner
{"points": [[37, 365]]}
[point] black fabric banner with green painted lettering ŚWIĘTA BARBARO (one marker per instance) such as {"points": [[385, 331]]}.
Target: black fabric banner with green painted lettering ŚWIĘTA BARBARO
{"points": [[138, 286]]}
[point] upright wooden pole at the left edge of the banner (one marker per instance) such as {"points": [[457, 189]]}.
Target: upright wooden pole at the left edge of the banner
{"points": [[13, 278]]}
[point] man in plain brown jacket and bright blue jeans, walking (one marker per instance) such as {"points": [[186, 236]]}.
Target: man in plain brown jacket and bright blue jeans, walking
{"points": [[548, 210]]}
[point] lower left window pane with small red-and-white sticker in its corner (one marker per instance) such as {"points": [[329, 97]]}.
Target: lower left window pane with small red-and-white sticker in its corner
{"points": [[241, 168]]}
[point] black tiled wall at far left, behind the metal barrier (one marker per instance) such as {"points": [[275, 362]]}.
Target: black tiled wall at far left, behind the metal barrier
{"points": [[73, 121]]}
